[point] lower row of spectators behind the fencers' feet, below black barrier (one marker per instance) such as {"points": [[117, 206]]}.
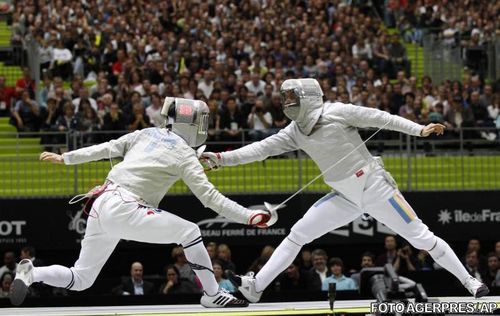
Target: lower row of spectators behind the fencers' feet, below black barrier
{"points": [[312, 270]]}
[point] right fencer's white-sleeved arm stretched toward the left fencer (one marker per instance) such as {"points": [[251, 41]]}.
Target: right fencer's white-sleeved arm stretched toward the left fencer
{"points": [[274, 145]]}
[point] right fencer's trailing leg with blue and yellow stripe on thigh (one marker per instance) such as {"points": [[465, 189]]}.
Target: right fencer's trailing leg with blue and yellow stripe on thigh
{"points": [[386, 204]]}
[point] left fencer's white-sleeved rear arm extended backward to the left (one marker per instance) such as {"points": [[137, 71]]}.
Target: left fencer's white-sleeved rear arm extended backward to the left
{"points": [[112, 149]]}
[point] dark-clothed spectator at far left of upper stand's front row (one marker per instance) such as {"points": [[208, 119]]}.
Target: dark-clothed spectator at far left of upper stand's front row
{"points": [[27, 114]]}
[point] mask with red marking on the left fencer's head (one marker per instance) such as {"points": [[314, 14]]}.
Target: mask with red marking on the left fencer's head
{"points": [[188, 118]]}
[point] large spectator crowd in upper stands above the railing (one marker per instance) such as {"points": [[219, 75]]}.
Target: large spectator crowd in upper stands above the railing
{"points": [[234, 56]]}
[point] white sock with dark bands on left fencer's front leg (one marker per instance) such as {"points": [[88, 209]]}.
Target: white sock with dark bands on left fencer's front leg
{"points": [[199, 261]]}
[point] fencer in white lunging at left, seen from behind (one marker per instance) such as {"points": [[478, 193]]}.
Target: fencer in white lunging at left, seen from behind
{"points": [[126, 206]]}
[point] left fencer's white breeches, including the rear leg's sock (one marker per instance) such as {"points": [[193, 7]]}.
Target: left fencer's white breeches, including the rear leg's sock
{"points": [[116, 215]]}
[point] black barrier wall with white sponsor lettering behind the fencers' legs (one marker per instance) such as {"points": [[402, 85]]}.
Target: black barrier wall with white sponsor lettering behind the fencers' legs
{"points": [[455, 216]]}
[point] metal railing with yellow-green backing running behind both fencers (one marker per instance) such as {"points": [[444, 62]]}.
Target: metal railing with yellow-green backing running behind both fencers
{"points": [[463, 160]]}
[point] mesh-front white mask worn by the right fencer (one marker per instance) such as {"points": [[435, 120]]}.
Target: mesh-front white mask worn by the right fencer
{"points": [[302, 102]]}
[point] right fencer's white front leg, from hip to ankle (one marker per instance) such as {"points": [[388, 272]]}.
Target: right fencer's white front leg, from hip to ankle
{"points": [[328, 213]]}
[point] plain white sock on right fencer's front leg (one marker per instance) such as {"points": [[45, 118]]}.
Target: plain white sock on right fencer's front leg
{"points": [[281, 258]]}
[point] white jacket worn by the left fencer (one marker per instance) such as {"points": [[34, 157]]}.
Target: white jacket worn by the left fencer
{"points": [[153, 160]]}
